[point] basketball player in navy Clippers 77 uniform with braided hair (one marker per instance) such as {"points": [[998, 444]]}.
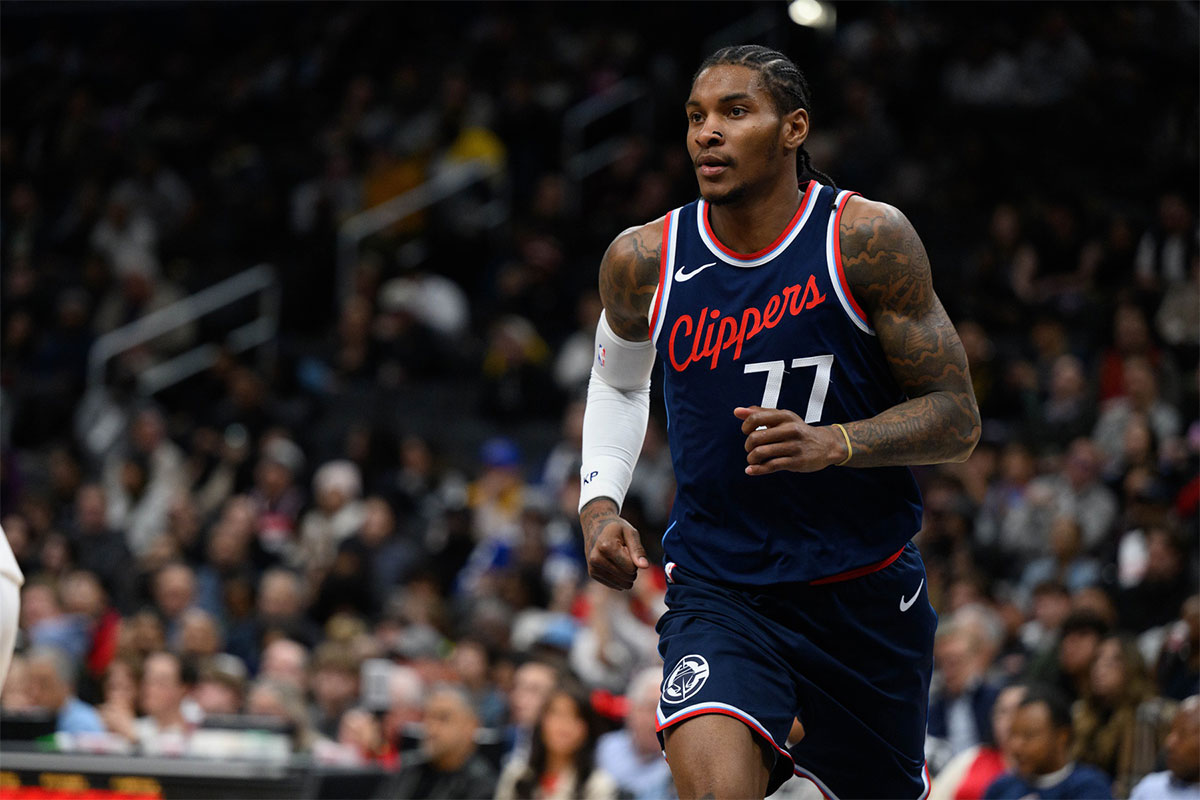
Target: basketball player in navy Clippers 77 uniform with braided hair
{"points": [[807, 364]]}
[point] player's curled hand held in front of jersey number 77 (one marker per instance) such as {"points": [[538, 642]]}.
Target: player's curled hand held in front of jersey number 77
{"points": [[787, 442]]}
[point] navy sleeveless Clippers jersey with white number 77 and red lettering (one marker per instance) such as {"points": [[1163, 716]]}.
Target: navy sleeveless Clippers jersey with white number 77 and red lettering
{"points": [[777, 329]]}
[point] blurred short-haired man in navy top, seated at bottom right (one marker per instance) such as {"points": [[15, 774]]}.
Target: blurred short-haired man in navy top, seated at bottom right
{"points": [[1041, 742]]}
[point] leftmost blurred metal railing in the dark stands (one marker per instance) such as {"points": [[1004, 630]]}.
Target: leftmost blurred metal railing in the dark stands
{"points": [[261, 332]]}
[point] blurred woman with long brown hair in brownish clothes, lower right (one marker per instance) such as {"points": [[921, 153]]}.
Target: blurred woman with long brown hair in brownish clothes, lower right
{"points": [[1107, 717]]}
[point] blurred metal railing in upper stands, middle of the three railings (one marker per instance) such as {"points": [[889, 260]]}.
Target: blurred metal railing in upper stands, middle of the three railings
{"points": [[443, 187]]}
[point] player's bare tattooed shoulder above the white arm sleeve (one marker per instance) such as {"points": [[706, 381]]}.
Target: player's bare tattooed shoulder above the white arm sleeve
{"points": [[629, 275]]}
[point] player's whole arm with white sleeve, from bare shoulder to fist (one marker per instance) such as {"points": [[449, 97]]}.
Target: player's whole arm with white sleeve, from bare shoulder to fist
{"points": [[629, 275]]}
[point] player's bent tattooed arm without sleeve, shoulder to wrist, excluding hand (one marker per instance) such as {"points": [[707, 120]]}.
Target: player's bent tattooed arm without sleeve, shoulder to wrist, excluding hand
{"points": [[889, 273]]}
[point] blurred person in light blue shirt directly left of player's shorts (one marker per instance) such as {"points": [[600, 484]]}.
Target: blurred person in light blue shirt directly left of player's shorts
{"points": [[633, 755]]}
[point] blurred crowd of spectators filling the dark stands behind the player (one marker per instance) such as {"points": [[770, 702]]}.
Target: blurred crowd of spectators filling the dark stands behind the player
{"points": [[370, 537]]}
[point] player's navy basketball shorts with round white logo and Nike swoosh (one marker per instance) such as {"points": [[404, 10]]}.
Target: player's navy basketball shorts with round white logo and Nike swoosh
{"points": [[850, 659]]}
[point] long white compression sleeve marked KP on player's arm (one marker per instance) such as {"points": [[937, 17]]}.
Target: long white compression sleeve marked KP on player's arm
{"points": [[617, 414]]}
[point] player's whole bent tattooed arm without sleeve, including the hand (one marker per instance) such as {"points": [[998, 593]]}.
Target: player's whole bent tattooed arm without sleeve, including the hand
{"points": [[889, 273]]}
